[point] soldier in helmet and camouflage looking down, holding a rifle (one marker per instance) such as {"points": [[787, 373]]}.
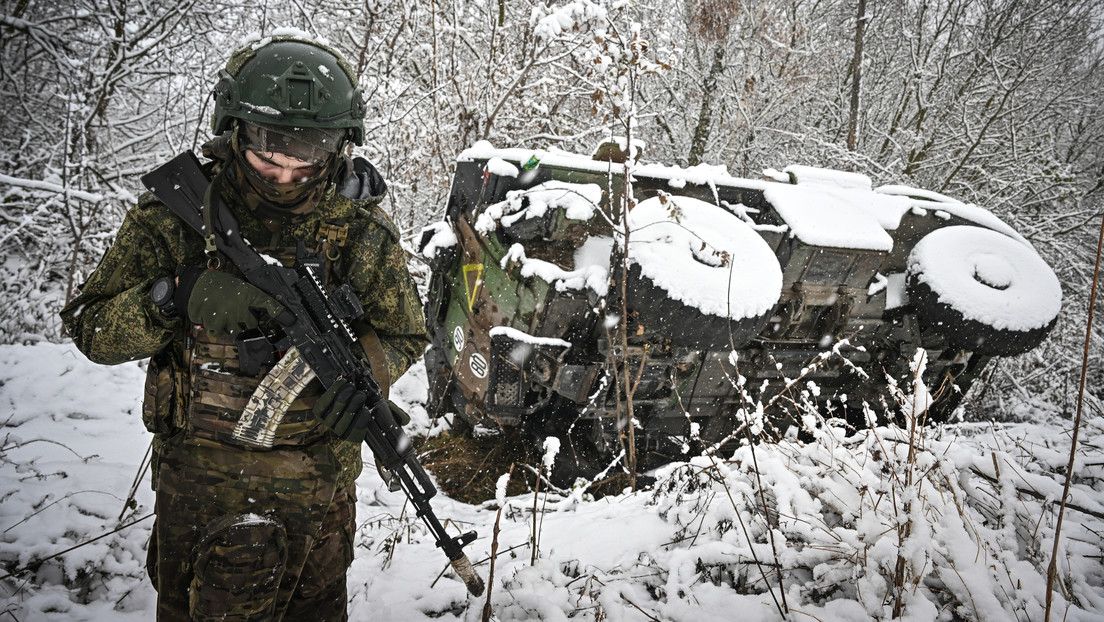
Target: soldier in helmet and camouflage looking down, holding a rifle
{"points": [[241, 533]]}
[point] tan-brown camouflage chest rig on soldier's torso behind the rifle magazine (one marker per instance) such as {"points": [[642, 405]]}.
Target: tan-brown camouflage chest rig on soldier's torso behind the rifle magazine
{"points": [[226, 372]]}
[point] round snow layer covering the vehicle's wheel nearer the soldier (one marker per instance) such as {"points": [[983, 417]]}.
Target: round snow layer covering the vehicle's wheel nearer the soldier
{"points": [[699, 255]]}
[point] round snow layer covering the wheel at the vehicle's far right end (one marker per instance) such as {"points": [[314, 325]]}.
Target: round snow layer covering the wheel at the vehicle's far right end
{"points": [[989, 278]]}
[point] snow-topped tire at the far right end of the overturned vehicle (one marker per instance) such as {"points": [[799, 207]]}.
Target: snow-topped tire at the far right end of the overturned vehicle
{"points": [[983, 291]]}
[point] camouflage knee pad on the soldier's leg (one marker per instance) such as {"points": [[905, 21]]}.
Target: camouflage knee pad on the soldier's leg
{"points": [[238, 567]]}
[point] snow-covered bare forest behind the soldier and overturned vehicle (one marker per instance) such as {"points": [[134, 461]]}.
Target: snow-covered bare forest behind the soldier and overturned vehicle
{"points": [[993, 102]]}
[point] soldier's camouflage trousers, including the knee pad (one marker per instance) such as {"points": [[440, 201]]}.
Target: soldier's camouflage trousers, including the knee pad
{"points": [[247, 536]]}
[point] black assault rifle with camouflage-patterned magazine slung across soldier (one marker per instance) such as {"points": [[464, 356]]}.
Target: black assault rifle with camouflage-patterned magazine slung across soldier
{"points": [[315, 333]]}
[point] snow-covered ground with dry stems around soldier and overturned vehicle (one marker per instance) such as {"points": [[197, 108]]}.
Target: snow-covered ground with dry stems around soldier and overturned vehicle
{"points": [[958, 526]]}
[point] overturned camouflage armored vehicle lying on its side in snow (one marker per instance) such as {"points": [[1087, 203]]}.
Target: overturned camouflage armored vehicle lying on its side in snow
{"points": [[742, 299]]}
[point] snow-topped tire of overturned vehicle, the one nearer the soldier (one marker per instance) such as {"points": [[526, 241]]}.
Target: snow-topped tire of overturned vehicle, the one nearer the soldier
{"points": [[699, 275]]}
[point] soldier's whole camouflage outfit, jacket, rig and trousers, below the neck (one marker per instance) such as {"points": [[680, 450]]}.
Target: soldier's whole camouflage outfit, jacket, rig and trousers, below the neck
{"points": [[196, 392]]}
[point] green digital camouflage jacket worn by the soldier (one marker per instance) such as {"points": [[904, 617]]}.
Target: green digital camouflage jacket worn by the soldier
{"points": [[114, 319]]}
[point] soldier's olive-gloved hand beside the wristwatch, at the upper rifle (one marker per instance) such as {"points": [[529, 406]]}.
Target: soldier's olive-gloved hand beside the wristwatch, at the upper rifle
{"points": [[222, 303]]}
